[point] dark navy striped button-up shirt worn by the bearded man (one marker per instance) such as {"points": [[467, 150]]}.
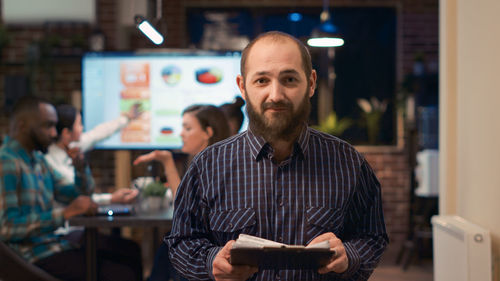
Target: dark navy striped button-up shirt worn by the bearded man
{"points": [[235, 187]]}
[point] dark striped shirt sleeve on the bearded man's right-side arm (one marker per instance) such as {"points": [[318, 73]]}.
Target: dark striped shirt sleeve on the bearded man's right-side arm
{"points": [[365, 237]]}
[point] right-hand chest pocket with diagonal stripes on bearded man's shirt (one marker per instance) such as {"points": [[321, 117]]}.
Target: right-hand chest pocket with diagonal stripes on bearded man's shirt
{"points": [[323, 219]]}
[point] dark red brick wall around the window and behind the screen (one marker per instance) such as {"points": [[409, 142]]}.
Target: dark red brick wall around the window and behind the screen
{"points": [[417, 33]]}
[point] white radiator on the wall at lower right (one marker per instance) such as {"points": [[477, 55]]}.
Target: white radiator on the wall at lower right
{"points": [[462, 250]]}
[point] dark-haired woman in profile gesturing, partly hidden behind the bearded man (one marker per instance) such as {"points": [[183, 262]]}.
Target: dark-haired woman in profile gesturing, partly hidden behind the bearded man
{"points": [[202, 125]]}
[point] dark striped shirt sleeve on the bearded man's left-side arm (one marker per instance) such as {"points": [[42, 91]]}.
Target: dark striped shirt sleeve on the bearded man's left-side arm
{"points": [[191, 250]]}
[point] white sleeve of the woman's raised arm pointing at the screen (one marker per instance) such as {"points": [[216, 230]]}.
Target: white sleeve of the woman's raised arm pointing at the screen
{"points": [[102, 131]]}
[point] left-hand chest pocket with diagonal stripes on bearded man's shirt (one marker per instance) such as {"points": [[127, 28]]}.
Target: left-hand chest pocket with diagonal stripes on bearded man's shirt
{"points": [[227, 225]]}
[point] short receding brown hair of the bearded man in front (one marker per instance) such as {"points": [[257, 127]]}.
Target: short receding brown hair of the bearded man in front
{"points": [[278, 36]]}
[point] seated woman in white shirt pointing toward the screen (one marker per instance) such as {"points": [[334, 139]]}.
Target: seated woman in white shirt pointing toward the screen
{"points": [[66, 154]]}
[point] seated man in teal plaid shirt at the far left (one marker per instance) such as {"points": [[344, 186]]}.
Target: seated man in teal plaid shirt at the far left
{"points": [[28, 189]]}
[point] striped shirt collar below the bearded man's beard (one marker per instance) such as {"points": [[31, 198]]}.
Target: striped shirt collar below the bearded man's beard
{"points": [[259, 147]]}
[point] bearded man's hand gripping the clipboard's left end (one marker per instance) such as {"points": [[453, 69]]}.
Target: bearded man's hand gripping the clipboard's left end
{"points": [[223, 270]]}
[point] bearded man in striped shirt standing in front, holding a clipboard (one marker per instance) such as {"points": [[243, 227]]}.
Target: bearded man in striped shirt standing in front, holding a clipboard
{"points": [[280, 180]]}
